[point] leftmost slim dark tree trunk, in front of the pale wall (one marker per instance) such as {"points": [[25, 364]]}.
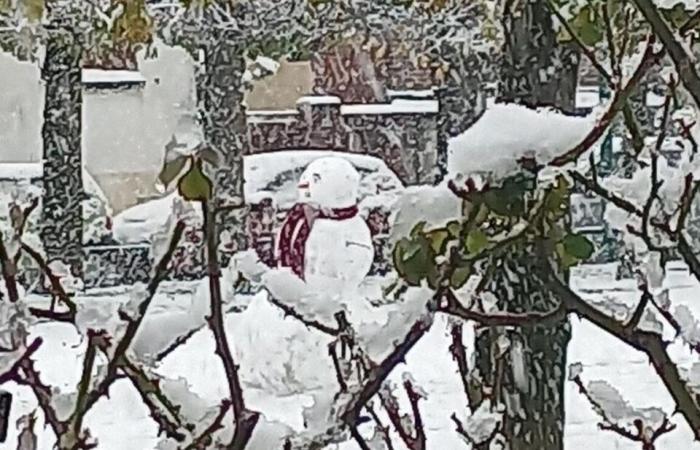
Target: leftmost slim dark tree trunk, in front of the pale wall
{"points": [[62, 229]]}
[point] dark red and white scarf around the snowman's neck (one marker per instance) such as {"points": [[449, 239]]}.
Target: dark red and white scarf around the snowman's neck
{"points": [[296, 230]]}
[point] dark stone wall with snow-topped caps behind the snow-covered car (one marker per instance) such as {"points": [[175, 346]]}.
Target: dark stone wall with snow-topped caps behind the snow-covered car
{"points": [[402, 131]]}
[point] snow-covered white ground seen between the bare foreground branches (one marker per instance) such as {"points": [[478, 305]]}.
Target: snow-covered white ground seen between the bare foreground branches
{"points": [[122, 422]]}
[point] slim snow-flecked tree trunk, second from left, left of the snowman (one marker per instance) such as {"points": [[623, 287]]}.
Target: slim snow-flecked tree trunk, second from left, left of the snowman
{"points": [[220, 100]]}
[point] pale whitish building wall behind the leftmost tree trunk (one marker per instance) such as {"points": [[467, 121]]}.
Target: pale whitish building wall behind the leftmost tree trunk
{"points": [[123, 131]]}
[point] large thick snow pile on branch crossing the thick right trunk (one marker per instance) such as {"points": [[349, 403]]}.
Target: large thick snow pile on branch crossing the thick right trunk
{"points": [[507, 132]]}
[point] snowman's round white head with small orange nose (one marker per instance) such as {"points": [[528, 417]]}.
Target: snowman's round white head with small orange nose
{"points": [[330, 182]]}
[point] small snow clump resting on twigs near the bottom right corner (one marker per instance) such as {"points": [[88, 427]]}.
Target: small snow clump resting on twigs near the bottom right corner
{"points": [[618, 410]]}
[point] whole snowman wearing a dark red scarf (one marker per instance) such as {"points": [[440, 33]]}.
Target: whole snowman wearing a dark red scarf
{"points": [[324, 252]]}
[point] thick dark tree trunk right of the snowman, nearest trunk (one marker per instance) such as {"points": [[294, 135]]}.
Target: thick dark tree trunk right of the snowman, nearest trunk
{"points": [[530, 378]]}
